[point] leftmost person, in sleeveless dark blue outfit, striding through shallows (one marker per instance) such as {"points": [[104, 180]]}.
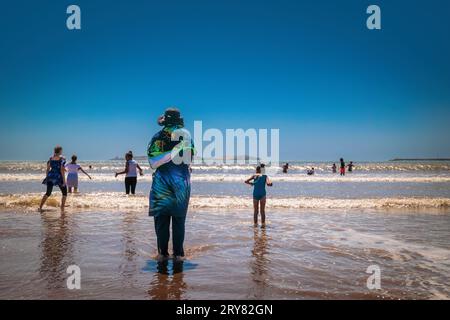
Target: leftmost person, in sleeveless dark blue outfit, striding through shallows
{"points": [[55, 176]]}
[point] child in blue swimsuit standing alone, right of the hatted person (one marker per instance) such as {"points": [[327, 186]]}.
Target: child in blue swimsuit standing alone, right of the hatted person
{"points": [[259, 182]]}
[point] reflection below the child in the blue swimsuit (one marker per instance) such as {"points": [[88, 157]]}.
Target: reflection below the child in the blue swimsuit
{"points": [[259, 263]]}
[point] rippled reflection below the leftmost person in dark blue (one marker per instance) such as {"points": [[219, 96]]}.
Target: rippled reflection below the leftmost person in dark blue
{"points": [[56, 249]]}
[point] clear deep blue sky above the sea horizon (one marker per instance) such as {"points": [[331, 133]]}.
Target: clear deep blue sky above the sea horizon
{"points": [[310, 68]]}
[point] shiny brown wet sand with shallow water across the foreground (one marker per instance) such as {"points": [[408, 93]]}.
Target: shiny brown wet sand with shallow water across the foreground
{"points": [[301, 254]]}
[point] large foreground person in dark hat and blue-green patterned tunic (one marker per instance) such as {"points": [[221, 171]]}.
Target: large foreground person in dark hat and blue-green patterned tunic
{"points": [[170, 153]]}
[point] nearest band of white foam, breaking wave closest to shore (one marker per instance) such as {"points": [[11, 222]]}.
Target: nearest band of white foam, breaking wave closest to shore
{"points": [[119, 201]]}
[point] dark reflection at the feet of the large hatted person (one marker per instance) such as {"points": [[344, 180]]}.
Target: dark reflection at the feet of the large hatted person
{"points": [[168, 283]]}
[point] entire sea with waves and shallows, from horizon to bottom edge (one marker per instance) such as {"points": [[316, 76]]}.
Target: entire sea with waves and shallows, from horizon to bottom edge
{"points": [[323, 233]]}
